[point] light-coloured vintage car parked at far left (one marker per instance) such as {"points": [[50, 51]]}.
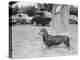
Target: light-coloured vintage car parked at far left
{"points": [[21, 18]]}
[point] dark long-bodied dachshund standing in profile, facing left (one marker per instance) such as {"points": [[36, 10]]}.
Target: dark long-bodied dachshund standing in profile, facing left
{"points": [[50, 40]]}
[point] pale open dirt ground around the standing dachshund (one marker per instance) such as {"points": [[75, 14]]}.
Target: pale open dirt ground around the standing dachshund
{"points": [[27, 43]]}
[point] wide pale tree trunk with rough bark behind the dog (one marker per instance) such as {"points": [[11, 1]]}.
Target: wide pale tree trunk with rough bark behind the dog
{"points": [[60, 19]]}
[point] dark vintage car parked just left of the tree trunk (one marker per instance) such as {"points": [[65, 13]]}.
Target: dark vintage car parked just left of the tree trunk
{"points": [[41, 17]]}
